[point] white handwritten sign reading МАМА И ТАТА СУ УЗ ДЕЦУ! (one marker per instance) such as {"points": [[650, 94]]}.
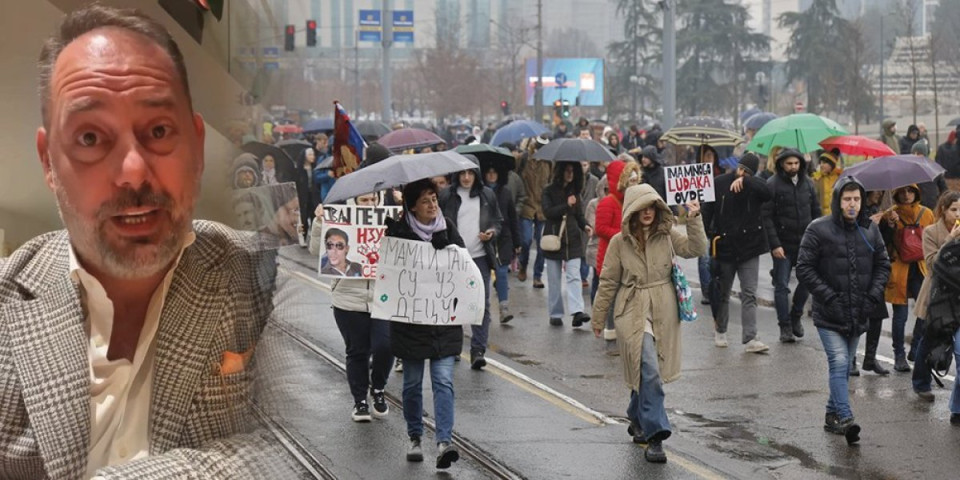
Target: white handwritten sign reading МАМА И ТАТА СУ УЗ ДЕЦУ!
{"points": [[419, 284]]}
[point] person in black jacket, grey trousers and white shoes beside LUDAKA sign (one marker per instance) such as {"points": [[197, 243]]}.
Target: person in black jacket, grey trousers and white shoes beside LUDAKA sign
{"points": [[735, 226]]}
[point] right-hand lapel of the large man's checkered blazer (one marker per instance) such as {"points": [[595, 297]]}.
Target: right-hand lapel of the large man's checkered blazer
{"points": [[191, 314]]}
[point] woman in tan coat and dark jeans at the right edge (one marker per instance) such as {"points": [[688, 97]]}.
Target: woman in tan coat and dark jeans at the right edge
{"points": [[934, 238]]}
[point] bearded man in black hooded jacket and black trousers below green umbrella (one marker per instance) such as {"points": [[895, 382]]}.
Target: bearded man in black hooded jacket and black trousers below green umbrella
{"points": [[792, 206]]}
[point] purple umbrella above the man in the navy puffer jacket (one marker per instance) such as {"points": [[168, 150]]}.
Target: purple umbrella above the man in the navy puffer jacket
{"points": [[895, 171]]}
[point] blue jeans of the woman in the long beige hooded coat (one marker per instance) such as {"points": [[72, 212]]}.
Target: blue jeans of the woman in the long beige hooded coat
{"points": [[646, 407]]}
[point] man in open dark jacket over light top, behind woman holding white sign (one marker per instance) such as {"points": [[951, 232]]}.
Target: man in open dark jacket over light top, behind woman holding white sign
{"points": [[475, 212]]}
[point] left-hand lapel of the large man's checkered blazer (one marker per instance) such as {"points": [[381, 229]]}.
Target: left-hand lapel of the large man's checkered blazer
{"points": [[48, 341]]}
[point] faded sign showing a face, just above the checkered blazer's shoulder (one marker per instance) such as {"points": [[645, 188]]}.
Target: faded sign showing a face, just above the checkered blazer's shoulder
{"points": [[272, 211]]}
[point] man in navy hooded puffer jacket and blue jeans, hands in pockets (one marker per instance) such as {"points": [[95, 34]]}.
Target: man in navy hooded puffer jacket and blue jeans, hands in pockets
{"points": [[844, 264]]}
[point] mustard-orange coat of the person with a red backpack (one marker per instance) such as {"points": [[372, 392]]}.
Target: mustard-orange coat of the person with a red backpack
{"points": [[896, 292]]}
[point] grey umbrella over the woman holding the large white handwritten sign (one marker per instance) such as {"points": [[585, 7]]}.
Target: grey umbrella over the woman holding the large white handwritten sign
{"points": [[396, 171]]}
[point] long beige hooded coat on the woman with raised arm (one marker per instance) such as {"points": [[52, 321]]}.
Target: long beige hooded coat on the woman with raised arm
{"points": [[640, 280]]}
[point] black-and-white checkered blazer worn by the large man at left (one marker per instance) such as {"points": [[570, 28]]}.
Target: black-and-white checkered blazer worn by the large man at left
{"points": [[200, 422]]}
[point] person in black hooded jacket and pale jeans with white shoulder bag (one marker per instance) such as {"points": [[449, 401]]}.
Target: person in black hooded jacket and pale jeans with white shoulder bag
{"points": [[562, 199]]}
